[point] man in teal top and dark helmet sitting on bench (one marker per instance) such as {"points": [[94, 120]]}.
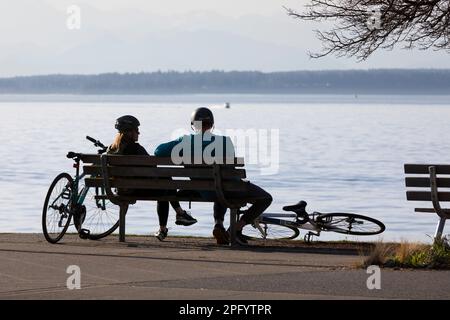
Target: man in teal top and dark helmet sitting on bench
{"points": [[202, 122]]}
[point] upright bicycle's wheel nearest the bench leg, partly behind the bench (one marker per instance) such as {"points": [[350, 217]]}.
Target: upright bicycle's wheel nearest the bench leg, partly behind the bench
{"points": [[99, 216]]}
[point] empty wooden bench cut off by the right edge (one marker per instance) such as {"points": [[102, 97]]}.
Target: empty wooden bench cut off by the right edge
{"points": [[432, 177]]}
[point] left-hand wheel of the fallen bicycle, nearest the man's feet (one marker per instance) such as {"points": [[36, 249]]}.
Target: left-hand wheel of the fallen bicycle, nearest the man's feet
{"points": [[270, 230]]}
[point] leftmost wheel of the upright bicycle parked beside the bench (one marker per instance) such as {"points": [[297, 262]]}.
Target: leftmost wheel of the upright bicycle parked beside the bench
{"points": [[56, 213]]}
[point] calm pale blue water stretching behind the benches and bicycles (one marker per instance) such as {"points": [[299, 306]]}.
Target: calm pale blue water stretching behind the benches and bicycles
{"points": [[339, 153]]}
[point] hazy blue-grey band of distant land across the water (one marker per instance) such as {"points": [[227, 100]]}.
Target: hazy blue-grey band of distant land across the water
{"points": [[376, 81]]}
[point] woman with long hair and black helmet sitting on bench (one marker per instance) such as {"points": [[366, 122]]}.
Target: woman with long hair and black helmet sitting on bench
{"points": [[126, 143]]}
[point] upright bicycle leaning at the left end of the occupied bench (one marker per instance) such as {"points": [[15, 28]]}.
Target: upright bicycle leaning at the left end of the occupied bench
{"points": [[67, 199]]}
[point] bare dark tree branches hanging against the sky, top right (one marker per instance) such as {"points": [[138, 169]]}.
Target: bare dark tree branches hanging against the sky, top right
{"points": [[364, 26]]}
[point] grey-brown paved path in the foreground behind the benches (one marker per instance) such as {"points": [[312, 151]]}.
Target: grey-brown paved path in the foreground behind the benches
{"points": [[196, 268]]}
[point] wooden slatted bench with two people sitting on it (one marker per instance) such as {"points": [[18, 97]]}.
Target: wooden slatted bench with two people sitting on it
{"points": [[113, 172]]}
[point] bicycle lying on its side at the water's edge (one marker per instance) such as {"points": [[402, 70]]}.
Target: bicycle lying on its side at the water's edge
{"points": [[287, 225]]}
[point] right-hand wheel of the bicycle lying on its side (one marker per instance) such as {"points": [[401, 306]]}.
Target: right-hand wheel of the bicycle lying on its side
{"points": [[350, 223]]}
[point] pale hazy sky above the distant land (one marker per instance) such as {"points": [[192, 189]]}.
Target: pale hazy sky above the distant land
{"points": [[149, 35]]}
